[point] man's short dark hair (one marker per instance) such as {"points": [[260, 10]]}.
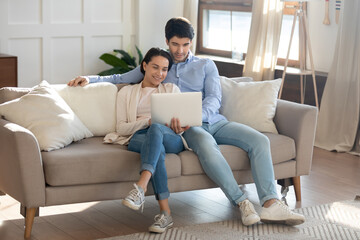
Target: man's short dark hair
{"points": [[179, 27]]}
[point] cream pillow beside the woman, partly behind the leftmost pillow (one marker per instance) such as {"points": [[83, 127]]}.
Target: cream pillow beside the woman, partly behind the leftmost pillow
{"points": [[94, 104]]}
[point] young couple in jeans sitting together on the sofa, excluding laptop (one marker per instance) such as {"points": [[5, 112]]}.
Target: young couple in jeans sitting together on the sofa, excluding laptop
{"points": [[162, 72]]}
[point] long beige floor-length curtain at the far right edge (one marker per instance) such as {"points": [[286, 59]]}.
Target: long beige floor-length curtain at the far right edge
{"points": [[338, 122]]}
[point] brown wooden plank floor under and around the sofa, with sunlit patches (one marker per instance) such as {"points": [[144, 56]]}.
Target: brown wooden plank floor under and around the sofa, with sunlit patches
{"points": [[334, 177]]}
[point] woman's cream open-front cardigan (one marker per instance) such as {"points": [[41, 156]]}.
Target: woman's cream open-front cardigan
{"points": [[126, 109]]}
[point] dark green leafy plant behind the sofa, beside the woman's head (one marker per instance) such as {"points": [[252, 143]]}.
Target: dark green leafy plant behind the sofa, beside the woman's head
{"points": [[121, 61]]}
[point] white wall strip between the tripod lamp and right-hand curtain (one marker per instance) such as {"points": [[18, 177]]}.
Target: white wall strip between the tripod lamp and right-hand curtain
{"points": [[322, 37]]}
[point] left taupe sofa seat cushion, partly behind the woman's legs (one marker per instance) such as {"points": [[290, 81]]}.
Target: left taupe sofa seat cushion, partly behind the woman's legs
{"points": [[90, 161]]}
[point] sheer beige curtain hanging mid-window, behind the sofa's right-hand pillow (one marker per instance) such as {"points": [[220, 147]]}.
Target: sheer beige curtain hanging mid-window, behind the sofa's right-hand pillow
{"points": [[264, 39]]}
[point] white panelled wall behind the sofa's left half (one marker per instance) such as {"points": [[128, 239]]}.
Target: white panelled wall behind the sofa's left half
{"points": [[57, 40]]}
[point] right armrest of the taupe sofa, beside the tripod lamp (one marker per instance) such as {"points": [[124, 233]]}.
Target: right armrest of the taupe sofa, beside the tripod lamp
{"points": [[298, 121]]}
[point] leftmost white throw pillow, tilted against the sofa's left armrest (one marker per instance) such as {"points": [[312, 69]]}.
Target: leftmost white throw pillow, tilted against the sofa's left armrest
{"points": [[47, 116]]}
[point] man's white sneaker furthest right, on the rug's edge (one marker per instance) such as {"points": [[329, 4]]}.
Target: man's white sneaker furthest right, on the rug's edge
{"points": [[278, 212]]}
